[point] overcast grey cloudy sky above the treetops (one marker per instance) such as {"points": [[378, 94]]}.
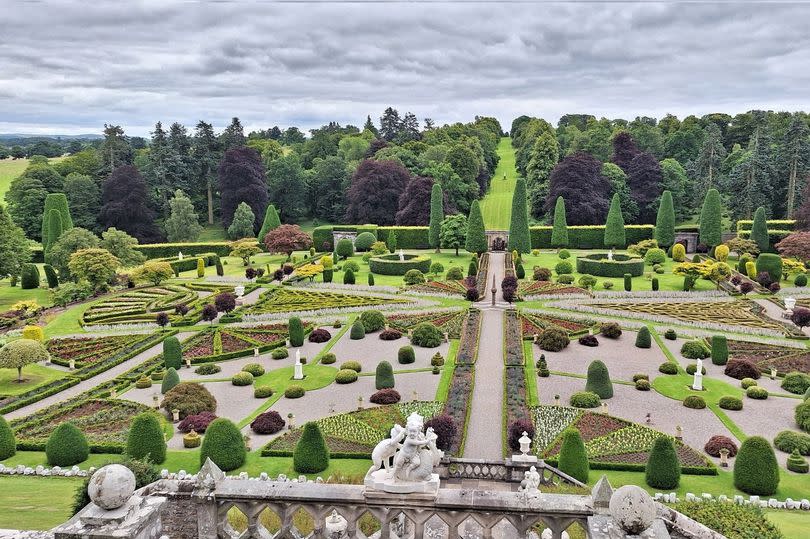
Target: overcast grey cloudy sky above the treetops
{"points": [[69, 68]]}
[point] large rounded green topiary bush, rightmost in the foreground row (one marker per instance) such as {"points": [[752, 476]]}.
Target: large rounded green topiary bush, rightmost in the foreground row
{"points": [[756, 470]]}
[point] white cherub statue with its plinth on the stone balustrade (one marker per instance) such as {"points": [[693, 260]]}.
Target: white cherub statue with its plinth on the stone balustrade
{"points": [[415, 456]]}
